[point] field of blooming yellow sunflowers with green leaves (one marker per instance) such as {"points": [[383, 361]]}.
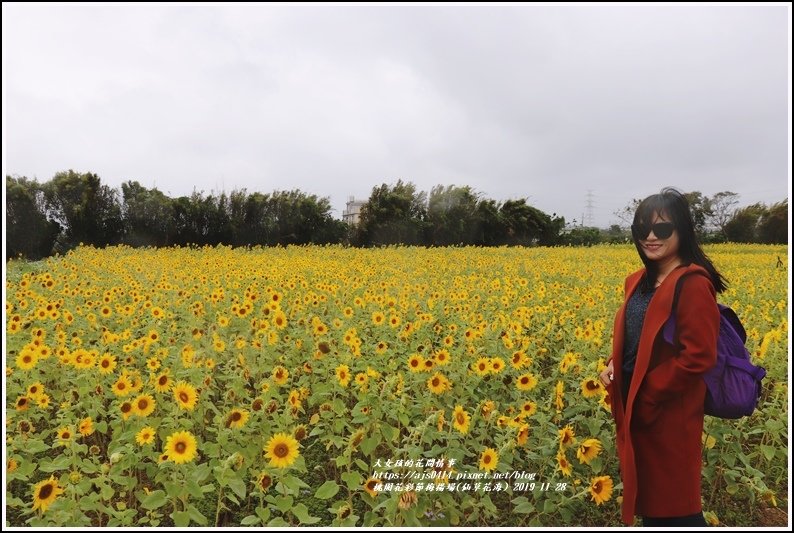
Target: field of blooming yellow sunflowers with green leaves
{"points": [[336, 386]]}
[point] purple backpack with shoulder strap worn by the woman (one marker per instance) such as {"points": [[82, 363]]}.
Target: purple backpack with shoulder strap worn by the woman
{"points": [[733, 385]]}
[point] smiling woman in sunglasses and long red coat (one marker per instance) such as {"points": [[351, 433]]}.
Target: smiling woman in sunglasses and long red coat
{"points": [[657, 389]]}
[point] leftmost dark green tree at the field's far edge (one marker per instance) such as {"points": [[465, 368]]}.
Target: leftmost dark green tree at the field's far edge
{"points": [[28, 232]]}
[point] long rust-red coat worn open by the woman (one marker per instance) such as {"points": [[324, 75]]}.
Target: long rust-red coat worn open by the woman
{"points": [[660, 427]]}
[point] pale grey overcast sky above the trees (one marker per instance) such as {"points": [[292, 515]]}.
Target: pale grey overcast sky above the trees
{"points": [[545, 103]]}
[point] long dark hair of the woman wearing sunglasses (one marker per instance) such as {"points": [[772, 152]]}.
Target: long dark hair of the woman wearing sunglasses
{"points": [[672, 203]]}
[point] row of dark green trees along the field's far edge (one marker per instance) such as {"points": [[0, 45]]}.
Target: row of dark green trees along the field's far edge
{"points": [[74, 208]]}
